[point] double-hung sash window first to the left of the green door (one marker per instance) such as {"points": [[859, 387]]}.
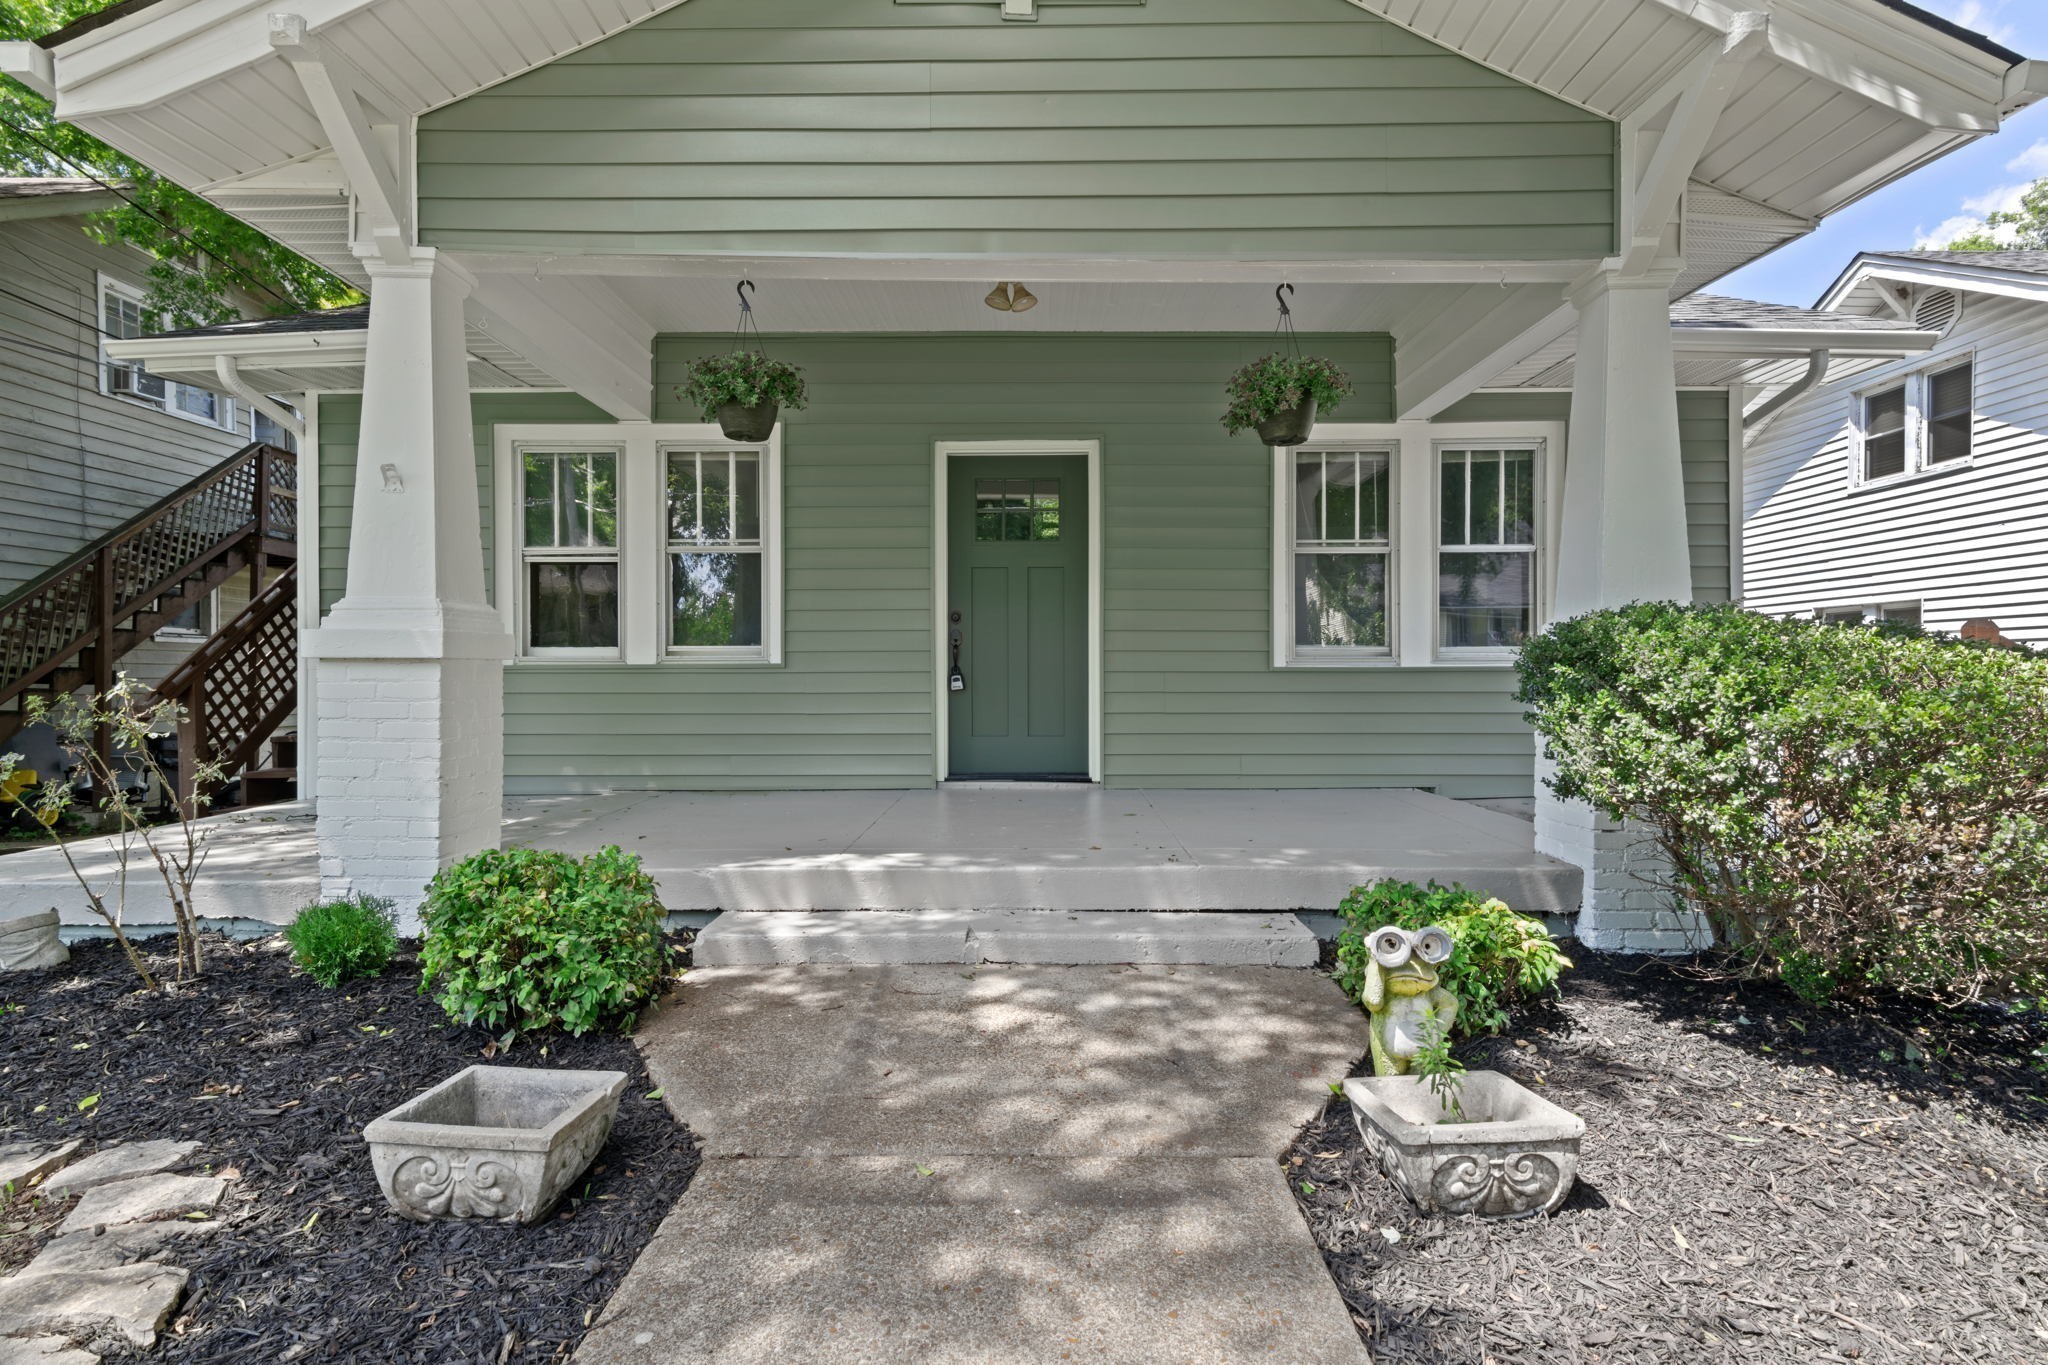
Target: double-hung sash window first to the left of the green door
{"points": [[716, 552]]}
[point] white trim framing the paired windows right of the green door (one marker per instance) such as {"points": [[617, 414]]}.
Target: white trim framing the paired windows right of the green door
{"points": [[1412, 611]]}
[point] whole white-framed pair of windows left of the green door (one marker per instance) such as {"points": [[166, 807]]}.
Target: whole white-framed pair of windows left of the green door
{"points": [[640, 543]]}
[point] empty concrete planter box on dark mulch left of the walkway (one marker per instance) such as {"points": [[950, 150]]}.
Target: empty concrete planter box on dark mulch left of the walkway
{"points": [[493, 1141]]}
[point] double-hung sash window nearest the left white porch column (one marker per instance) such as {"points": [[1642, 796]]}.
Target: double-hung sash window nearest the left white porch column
{"points": [[570, 552]]}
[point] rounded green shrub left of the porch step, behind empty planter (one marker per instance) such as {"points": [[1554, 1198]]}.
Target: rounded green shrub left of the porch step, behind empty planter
{"points": [[527, 940]]}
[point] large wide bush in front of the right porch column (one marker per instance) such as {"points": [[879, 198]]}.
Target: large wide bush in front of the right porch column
{"points": [[1852, 809]]}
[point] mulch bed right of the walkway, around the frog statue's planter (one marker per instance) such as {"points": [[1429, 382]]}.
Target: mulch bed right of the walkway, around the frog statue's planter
{"points": [[1760, 1182]]}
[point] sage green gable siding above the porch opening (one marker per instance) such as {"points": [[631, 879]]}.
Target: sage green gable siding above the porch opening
{"points": [[1164, 130]]}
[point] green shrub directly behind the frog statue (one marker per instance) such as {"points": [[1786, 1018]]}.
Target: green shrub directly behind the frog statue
{"points": [[1500, 959]]}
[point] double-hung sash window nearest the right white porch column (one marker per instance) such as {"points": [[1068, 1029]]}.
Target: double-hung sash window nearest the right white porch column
{"points": [[1486, 547]]}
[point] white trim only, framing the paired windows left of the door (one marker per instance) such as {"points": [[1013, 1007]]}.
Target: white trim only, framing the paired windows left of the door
{"points": [[642, 539]]}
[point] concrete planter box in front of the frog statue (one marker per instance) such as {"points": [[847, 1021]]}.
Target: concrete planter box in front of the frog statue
{"points": [[1517, 1157]]}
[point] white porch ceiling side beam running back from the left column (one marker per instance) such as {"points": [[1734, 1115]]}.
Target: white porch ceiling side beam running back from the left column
{"points": [[587, 339]]}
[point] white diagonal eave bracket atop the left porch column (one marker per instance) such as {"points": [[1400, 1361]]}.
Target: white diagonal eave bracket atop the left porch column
{"points": [[343, 99]]}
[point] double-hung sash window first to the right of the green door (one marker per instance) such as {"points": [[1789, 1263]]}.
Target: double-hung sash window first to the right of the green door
{"points": [[1342, 554]]}
